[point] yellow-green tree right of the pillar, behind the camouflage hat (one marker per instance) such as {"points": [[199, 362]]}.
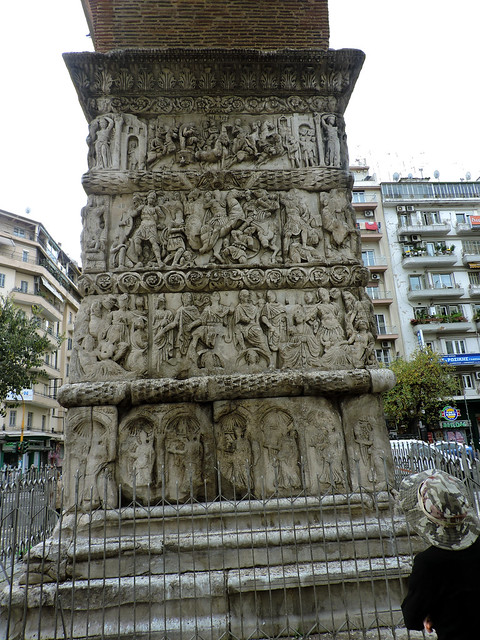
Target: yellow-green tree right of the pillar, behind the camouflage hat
{"points": [[425, 384]]}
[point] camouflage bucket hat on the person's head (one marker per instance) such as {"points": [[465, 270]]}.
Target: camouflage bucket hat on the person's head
{"points": [[437, 507]]}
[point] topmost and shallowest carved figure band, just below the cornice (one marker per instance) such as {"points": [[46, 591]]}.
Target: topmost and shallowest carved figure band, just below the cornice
{"points": [[217, 142]]}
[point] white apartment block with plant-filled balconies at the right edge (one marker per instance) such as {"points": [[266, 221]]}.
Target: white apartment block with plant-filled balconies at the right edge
{"points": [[433, 230]]}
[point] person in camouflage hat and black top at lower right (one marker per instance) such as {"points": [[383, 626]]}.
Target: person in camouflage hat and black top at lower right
{"points": [[444, 586]]}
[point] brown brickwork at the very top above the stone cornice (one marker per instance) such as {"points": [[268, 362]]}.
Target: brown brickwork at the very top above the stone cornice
{"points": [[206, 24]]}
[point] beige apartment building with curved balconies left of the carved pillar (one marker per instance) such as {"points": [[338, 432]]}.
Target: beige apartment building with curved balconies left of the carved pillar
{"points": [[39, 276]]}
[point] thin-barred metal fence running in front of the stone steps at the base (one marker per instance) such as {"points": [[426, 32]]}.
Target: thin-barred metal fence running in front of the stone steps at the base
{"points": [[332, 566]]}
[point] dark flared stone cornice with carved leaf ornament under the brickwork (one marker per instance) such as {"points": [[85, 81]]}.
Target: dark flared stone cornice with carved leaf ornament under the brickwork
{"points": [[99, 78]]}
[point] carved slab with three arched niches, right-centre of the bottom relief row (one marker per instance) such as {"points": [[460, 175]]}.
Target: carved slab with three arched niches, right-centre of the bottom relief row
{"points": [[281, 445]]}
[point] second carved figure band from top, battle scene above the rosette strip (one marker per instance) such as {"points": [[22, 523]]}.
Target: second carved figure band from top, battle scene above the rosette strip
{"points": [[240, 227]]}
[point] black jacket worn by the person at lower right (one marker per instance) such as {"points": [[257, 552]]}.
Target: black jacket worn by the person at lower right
{"points": [[445, 585]]}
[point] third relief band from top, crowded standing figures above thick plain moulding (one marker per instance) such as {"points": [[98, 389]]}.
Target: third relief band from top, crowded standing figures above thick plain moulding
{"points": [[190, 334]]}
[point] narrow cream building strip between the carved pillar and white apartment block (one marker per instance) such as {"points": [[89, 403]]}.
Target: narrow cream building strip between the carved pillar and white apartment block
{"points": [[367, 203]]}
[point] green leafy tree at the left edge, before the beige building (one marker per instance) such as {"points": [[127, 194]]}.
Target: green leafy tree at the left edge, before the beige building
{"points": [[22, 350]]}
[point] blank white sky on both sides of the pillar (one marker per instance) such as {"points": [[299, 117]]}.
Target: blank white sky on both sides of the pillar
{"points": [[414, 107]]}
